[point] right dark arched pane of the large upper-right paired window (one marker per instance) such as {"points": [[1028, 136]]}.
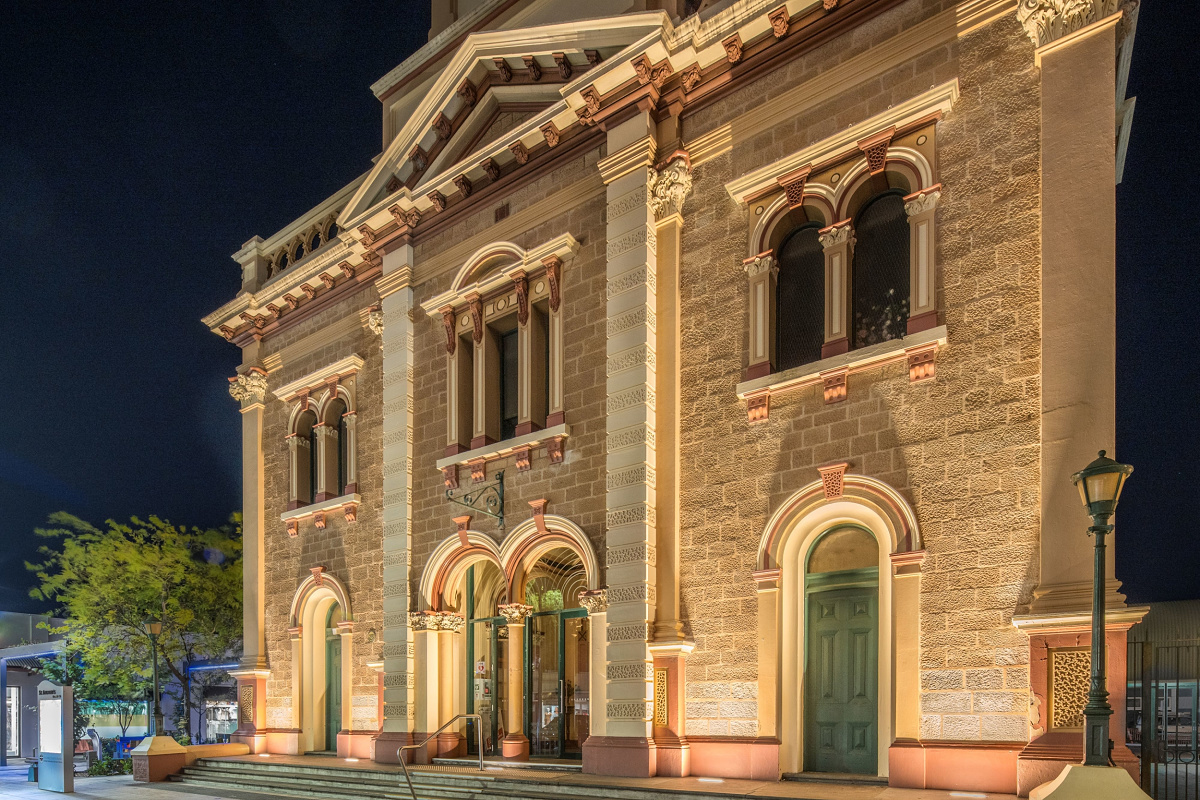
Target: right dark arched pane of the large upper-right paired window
{"points": [[881, 276]]}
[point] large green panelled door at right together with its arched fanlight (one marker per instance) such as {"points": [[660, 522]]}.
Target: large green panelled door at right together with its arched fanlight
{"points": [[842, 598]]}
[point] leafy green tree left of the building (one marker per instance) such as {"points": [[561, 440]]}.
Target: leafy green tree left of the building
{"points": [[111, 582]]}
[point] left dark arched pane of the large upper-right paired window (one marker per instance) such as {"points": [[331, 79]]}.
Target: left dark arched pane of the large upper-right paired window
{"points": [[800, 328]]}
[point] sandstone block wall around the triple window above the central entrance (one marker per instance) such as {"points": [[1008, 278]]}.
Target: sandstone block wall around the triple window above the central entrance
{"points": [[575, 489]]}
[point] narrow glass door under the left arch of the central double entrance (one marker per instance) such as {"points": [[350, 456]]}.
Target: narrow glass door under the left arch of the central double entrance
{"points": [[487, 645]]}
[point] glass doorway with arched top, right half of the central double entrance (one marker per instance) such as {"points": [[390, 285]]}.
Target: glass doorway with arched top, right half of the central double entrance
{"points": [[556, 655]]}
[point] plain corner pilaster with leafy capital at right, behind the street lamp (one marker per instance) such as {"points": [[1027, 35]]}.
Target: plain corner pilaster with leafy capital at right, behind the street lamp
{"points": [[1077, 56]]}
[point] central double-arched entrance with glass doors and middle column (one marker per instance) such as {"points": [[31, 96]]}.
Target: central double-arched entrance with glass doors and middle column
{"points": [[525, 592]]}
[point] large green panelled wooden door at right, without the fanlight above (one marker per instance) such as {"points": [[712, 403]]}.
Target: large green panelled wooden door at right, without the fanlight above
{"points": [[842, 682]]}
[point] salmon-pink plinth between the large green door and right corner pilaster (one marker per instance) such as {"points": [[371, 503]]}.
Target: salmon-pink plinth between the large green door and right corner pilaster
{"points": [[955, 766]]}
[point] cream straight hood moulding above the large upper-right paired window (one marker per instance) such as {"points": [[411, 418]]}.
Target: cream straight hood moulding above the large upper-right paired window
{"points": [[939, 99]]}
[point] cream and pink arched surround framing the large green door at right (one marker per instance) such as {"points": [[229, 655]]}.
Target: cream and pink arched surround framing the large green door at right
{"points": [[854, 502]]}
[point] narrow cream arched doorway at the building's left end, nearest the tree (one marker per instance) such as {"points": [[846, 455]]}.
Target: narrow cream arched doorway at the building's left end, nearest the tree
{"points": [[322, 658]]}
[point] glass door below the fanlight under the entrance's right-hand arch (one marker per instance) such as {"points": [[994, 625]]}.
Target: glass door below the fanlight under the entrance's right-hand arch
{"points": [[557, 681]]}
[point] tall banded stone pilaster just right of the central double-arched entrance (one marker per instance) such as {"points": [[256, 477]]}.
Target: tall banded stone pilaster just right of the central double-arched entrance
{"points": [[632, 423]]}
